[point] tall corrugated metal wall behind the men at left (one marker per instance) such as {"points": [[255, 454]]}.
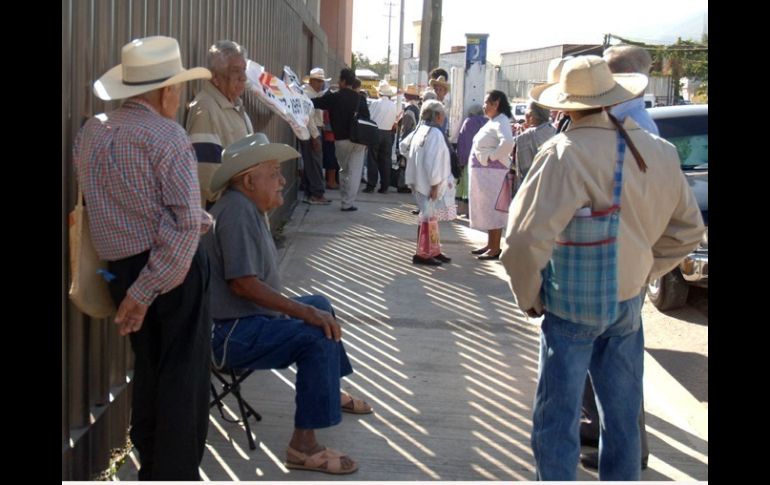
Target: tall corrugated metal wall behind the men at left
{"points": [[96, 362]]}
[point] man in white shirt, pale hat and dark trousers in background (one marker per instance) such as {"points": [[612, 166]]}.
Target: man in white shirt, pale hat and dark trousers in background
{"points": [[384, 112]]}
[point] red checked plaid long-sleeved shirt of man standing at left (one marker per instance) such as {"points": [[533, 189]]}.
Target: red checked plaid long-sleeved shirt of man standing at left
{"points": [[137, 171]]}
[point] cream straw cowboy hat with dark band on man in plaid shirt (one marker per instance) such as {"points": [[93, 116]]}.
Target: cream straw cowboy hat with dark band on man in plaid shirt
{"points": [[145, 65]]}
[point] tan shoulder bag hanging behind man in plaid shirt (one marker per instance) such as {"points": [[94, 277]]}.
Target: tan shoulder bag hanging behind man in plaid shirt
{"points": [[88, 288]]}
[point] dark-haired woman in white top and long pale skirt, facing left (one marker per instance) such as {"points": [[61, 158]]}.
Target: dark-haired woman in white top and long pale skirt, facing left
{"points": [[488, 166]]}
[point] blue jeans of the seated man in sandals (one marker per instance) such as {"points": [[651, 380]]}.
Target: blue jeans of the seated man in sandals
{"points": [[260, 342]]}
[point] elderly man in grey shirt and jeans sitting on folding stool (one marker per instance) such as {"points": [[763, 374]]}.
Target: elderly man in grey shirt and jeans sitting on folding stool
{"points": [[255, 327]]}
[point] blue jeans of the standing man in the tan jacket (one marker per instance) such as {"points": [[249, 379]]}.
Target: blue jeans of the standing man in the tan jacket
{"points": [[613, 356]]}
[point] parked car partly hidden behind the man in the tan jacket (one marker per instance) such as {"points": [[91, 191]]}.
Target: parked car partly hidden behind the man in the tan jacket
{"points": [[685, 126]]}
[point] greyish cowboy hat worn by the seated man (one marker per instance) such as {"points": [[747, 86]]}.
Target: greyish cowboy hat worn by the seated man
{"points": [[246, 153]]}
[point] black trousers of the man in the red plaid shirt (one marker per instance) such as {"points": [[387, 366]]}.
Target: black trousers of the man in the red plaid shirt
{"points": [[169, 407]]}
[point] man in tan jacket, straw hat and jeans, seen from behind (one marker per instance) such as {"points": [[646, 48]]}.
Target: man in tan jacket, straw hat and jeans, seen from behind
{"points": [[604, 208]]}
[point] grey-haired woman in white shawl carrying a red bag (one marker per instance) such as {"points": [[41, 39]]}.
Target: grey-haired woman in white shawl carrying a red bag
{"points": [[429, 174]]}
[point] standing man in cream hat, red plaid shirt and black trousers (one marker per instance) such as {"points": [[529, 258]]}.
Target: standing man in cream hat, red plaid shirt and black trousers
{"points": [[136, 168]]}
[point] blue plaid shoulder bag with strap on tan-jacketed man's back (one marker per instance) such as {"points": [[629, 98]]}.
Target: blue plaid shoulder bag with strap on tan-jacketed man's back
{"points": [[580, 281]]}
